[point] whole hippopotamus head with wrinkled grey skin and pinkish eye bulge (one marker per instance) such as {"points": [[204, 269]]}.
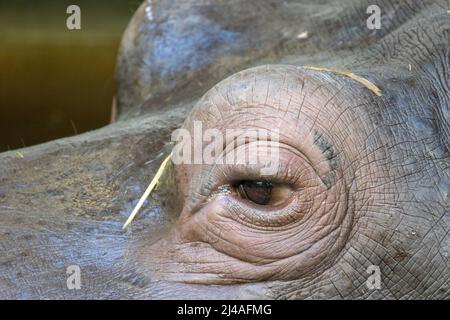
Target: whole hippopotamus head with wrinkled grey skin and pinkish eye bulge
{"points": [[358, 207]]}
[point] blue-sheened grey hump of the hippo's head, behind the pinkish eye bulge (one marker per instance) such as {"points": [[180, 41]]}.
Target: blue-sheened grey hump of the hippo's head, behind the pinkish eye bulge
{"points": [[174, 50]]}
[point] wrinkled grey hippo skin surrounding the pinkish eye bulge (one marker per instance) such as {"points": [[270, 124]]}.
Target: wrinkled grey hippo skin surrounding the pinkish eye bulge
{"points": [[64, 203]]}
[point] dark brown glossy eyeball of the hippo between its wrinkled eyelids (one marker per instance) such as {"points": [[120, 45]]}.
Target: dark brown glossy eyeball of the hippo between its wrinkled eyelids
{"points": [[262, 192]]}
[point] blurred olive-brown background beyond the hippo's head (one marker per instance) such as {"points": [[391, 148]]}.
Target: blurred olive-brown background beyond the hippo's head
{"points": [[55, 82]]}
